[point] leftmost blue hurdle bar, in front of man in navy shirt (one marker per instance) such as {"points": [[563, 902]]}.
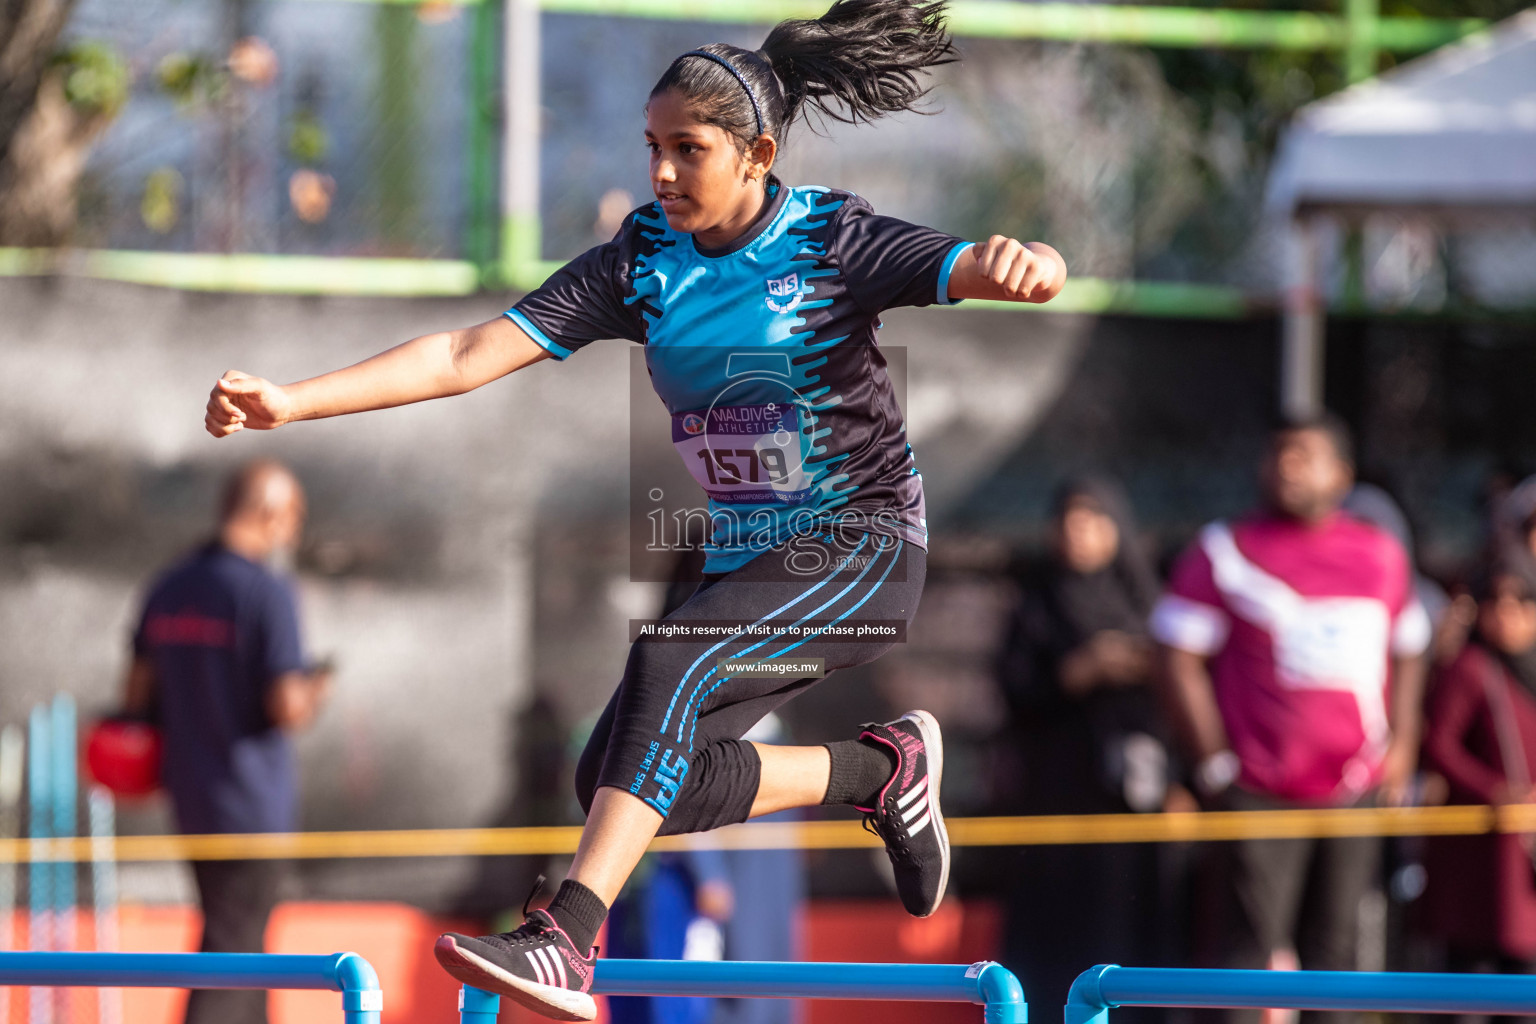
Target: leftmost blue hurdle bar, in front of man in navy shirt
{"points": [[348, 974]]}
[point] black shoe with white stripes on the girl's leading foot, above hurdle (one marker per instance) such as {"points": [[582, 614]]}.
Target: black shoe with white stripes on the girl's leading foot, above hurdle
{"points": [[537, 966]]}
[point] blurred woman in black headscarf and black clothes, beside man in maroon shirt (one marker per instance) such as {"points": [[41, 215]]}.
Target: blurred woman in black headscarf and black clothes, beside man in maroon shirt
{"points": [[1087, 739]]}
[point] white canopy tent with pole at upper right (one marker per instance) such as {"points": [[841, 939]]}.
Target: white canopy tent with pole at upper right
{"points": [[1451, 136]]}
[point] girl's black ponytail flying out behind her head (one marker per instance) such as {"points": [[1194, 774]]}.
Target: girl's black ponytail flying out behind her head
{"points": [[861, 61]]}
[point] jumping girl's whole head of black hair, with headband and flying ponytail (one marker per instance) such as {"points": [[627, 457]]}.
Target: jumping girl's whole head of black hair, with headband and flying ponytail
{"points": [[858, 62]]}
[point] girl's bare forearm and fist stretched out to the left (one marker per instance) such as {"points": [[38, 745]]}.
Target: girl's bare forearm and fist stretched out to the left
{"points": [[432, 366]]}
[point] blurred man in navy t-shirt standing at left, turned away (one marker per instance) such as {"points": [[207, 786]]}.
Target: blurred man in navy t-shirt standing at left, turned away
{"points": [[217, 656]]}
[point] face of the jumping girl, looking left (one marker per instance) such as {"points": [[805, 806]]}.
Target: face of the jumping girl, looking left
{"points": [[706, 185]]}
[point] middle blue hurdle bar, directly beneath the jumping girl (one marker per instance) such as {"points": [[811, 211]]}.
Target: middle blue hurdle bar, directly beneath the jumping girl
{"points": [[987, 983]]}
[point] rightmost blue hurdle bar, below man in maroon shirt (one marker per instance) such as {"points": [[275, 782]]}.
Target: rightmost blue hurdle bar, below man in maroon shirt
{"points": [[1108, 986]]}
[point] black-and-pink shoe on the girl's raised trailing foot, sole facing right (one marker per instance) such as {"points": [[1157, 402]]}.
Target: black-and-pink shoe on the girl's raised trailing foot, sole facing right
{"points": [[907, 814]]}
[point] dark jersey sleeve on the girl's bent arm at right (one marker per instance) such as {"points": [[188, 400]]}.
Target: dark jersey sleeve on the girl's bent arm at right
{"points": [[889, 263]]}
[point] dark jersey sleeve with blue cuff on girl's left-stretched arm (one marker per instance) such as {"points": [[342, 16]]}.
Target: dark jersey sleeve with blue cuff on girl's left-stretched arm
{"points": [[583, 302]]}
